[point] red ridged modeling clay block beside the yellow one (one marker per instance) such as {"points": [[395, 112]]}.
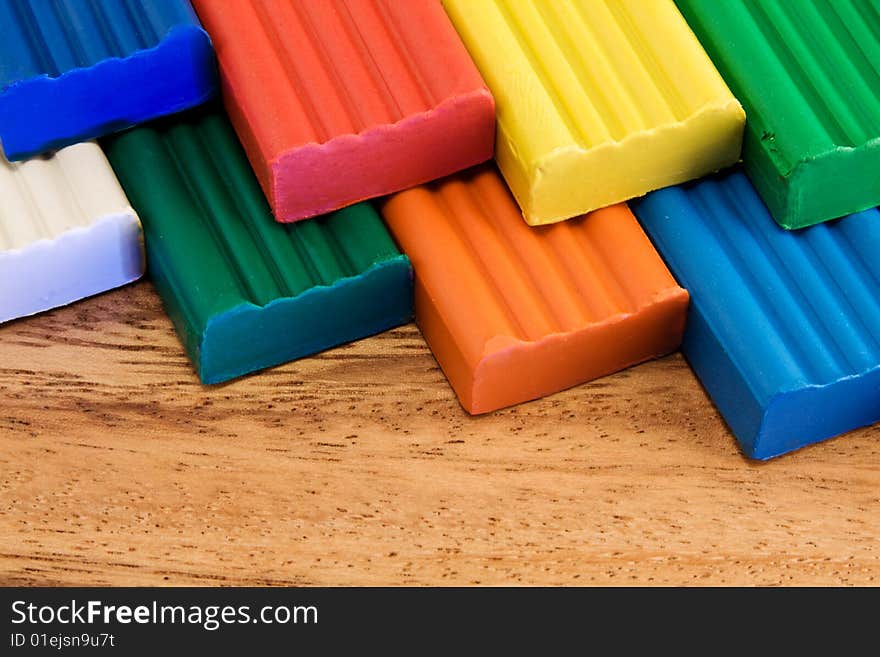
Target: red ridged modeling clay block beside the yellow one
{"points": [[337, 102]]}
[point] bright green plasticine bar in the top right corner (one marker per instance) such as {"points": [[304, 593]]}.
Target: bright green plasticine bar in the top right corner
{"points": [[807, 74]]}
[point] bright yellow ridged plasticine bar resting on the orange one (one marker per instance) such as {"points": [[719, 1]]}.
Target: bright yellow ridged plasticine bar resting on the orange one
{"points": [[598, 101]]}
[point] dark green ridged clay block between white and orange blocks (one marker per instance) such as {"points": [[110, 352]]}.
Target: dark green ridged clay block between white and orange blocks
{"points": [[243, 291]]}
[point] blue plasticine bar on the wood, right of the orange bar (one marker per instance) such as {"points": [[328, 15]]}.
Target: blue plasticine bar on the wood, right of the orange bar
{"points": [[784, 327]]}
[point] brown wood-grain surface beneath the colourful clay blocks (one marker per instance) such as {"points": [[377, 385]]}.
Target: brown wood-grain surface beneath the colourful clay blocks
{"points": [[359, 467]]}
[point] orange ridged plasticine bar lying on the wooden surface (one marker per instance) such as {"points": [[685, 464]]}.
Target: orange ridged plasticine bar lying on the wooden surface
{"points": [[513, 313]]}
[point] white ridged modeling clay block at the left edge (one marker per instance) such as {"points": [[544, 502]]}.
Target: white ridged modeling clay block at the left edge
{"points": [[66, 231]]}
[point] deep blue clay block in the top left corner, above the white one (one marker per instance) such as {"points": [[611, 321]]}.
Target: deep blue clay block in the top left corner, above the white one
{"points": [[71, 71]]}
